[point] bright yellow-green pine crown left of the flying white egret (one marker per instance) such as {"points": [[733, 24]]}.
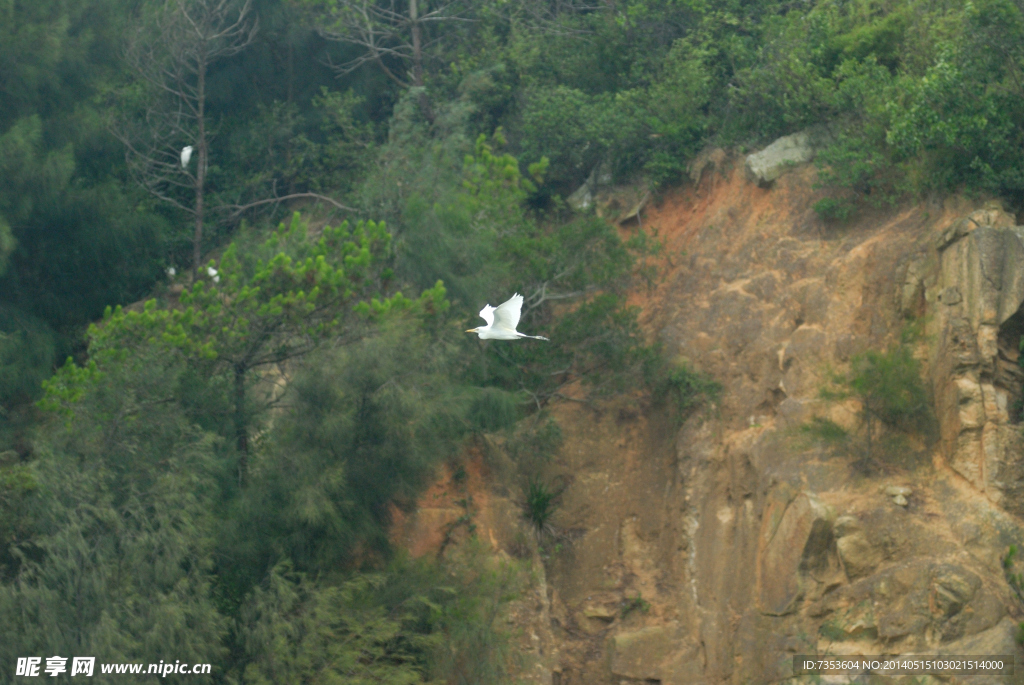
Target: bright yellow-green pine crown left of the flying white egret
{"points": [[259, 309]]}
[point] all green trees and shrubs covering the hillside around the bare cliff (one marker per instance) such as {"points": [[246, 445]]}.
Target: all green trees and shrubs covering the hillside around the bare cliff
{"points": [[211, 477]]}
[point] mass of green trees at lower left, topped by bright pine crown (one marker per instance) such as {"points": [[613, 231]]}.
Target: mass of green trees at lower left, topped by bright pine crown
{"points": [[154, 517]]}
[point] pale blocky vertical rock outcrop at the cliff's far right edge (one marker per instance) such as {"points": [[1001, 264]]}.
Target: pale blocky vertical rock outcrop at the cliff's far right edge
{"points": [[977, 382]]}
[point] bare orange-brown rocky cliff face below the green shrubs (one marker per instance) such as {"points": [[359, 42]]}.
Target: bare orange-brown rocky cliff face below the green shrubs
{"points": [[716, 551]]}
